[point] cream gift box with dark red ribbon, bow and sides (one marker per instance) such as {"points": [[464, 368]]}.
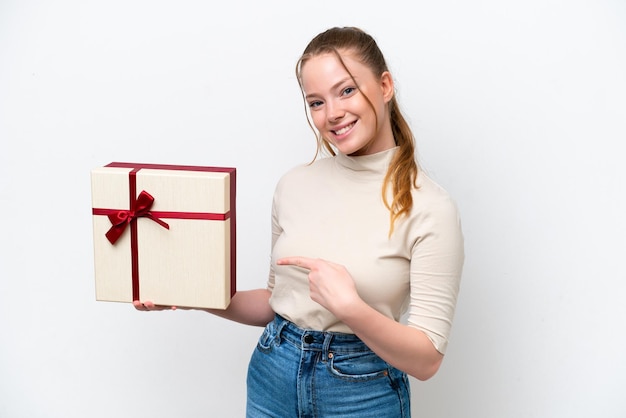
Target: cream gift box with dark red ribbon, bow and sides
{"points": [[164, 233]]}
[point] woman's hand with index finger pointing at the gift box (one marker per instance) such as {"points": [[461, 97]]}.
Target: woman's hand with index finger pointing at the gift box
{"points": [[330, 284]]}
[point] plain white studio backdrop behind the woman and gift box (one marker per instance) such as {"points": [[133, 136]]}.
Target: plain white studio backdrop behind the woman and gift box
{"points": [[519, 110]]}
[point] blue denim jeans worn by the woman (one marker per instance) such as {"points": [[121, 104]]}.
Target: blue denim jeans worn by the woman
{"points": [[298, 373]]}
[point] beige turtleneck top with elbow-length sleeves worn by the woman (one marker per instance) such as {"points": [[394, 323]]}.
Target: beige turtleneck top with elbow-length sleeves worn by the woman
{"points": [[333, 209]]}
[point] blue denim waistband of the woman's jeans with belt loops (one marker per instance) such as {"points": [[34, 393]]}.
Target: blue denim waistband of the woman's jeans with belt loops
{"points": [[307, 339]]}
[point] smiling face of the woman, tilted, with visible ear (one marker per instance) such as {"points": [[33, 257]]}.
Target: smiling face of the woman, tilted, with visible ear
{"points": [[340, 111]]}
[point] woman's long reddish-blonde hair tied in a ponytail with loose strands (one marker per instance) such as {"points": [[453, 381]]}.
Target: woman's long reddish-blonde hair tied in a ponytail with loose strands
{"points": [[402, 172]]}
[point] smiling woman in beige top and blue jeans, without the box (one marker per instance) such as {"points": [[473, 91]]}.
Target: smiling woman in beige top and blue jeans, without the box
{"points": [[361, 239]]}
